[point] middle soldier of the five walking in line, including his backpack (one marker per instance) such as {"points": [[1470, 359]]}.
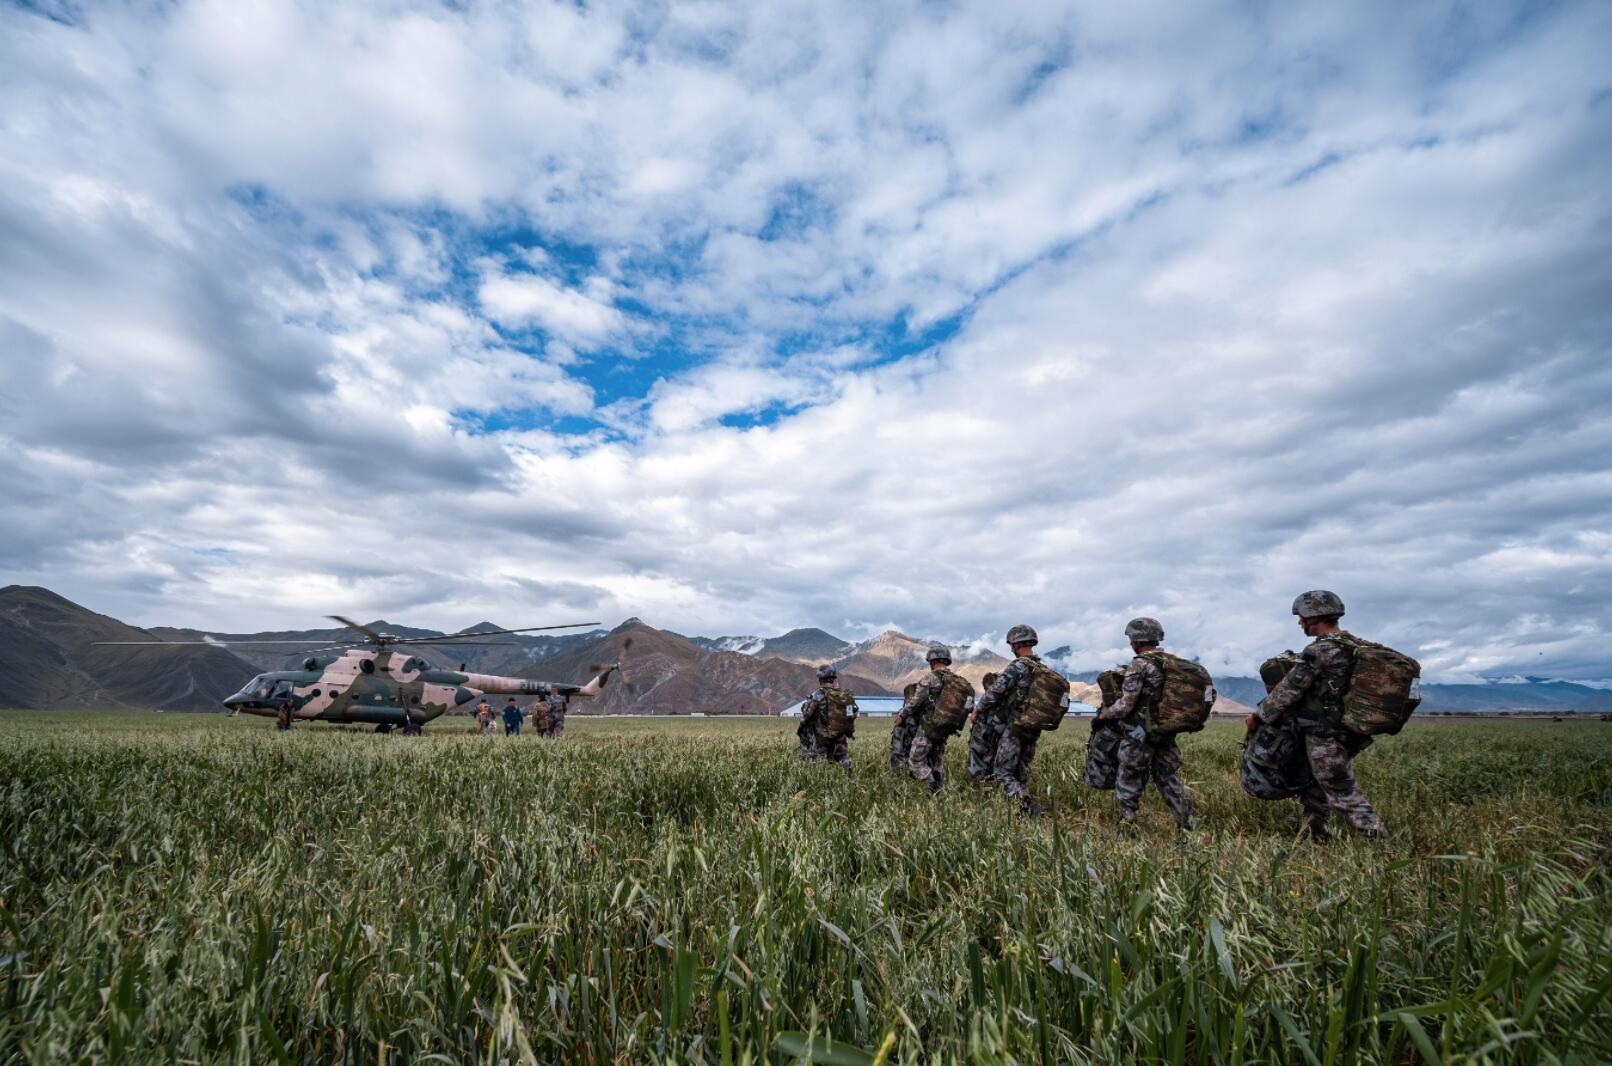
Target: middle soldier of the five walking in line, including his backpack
{"points": [[1016, 707]]}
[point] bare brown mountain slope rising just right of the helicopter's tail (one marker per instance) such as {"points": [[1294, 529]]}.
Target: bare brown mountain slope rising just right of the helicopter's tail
{"points": [[667, 675]]}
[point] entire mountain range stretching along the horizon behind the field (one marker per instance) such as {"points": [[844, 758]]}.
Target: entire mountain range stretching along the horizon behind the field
{"points": [[48, 659]]}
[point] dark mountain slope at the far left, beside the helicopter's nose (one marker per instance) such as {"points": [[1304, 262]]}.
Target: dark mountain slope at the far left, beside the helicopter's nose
{"points": [[48, 659]]}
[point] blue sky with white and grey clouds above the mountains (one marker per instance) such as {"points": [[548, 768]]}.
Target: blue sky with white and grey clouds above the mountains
{"points": [[850, 315]]}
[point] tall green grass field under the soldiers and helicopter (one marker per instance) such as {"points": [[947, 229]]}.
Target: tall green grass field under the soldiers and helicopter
{"points": [[196, 888]]}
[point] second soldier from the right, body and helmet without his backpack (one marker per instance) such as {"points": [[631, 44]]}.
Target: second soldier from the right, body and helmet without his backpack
{"points": [[1144, 757]]}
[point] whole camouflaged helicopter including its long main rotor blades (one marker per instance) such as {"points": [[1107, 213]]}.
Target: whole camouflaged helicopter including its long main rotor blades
{"points": [[383, 683]]}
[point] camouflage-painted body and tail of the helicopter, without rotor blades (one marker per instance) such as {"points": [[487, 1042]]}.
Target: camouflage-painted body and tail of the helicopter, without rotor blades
{"points": [[384, 689]]}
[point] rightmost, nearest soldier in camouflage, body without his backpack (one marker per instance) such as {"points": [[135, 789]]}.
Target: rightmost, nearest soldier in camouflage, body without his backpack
{"points": [[1313, 696]]}
